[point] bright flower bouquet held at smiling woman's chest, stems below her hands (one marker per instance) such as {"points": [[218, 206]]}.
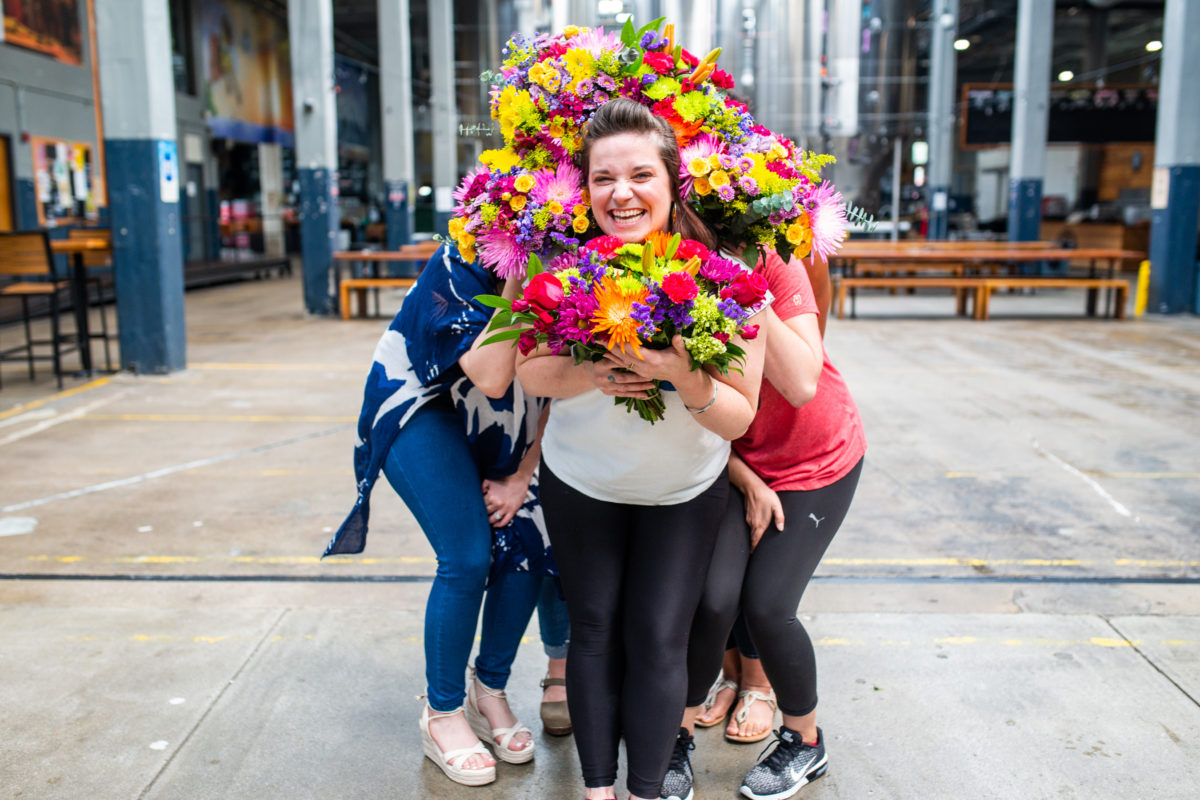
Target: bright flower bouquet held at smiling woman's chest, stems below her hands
{"points": [[616, 296]]}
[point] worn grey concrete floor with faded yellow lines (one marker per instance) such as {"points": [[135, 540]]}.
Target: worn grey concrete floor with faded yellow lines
{"points": [[1011, 611]]}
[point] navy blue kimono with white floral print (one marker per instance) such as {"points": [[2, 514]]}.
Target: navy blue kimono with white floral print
{"points": [[416, 362]]}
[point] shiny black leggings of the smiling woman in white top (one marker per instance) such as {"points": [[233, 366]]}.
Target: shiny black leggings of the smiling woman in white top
{"points": [[633, 576]]}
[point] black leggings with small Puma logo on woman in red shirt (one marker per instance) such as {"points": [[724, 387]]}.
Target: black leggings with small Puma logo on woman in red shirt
{"points": [[769, 584]]}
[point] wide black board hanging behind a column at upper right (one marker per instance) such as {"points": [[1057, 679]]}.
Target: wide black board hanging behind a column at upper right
{"points": [[1078, 115]]}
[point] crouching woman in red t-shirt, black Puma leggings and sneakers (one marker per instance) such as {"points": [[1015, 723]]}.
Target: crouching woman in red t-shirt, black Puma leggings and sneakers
{"points": [[796, 472]]}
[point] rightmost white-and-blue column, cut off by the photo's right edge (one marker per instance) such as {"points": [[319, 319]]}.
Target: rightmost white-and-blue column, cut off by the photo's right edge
{"points": [[1175, 195]]}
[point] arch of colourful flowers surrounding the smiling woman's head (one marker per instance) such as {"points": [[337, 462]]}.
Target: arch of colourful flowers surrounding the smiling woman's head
{"points": [[749, 184]]}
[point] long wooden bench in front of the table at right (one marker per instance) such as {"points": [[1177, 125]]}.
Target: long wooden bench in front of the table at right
{"points": [[982, 287]]}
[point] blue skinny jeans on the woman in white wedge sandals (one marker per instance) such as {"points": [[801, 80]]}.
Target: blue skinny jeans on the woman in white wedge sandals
{"points": [[433, 470]]}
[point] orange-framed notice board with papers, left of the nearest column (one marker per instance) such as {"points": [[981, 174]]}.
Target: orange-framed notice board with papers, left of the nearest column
{"points": [[63, 182]]}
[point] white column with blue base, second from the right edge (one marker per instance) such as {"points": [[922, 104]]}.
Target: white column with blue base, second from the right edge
{"points": [[1031, 118]]}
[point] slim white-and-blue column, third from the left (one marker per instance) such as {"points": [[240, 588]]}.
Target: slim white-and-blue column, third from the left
{"points": [[397, 101]]}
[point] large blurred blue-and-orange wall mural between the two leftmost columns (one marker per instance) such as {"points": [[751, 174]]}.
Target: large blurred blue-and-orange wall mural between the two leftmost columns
{"points": [[248, 74]]}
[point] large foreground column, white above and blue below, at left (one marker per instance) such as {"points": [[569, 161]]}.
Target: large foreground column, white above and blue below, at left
{"points": [[139, 92]]}
